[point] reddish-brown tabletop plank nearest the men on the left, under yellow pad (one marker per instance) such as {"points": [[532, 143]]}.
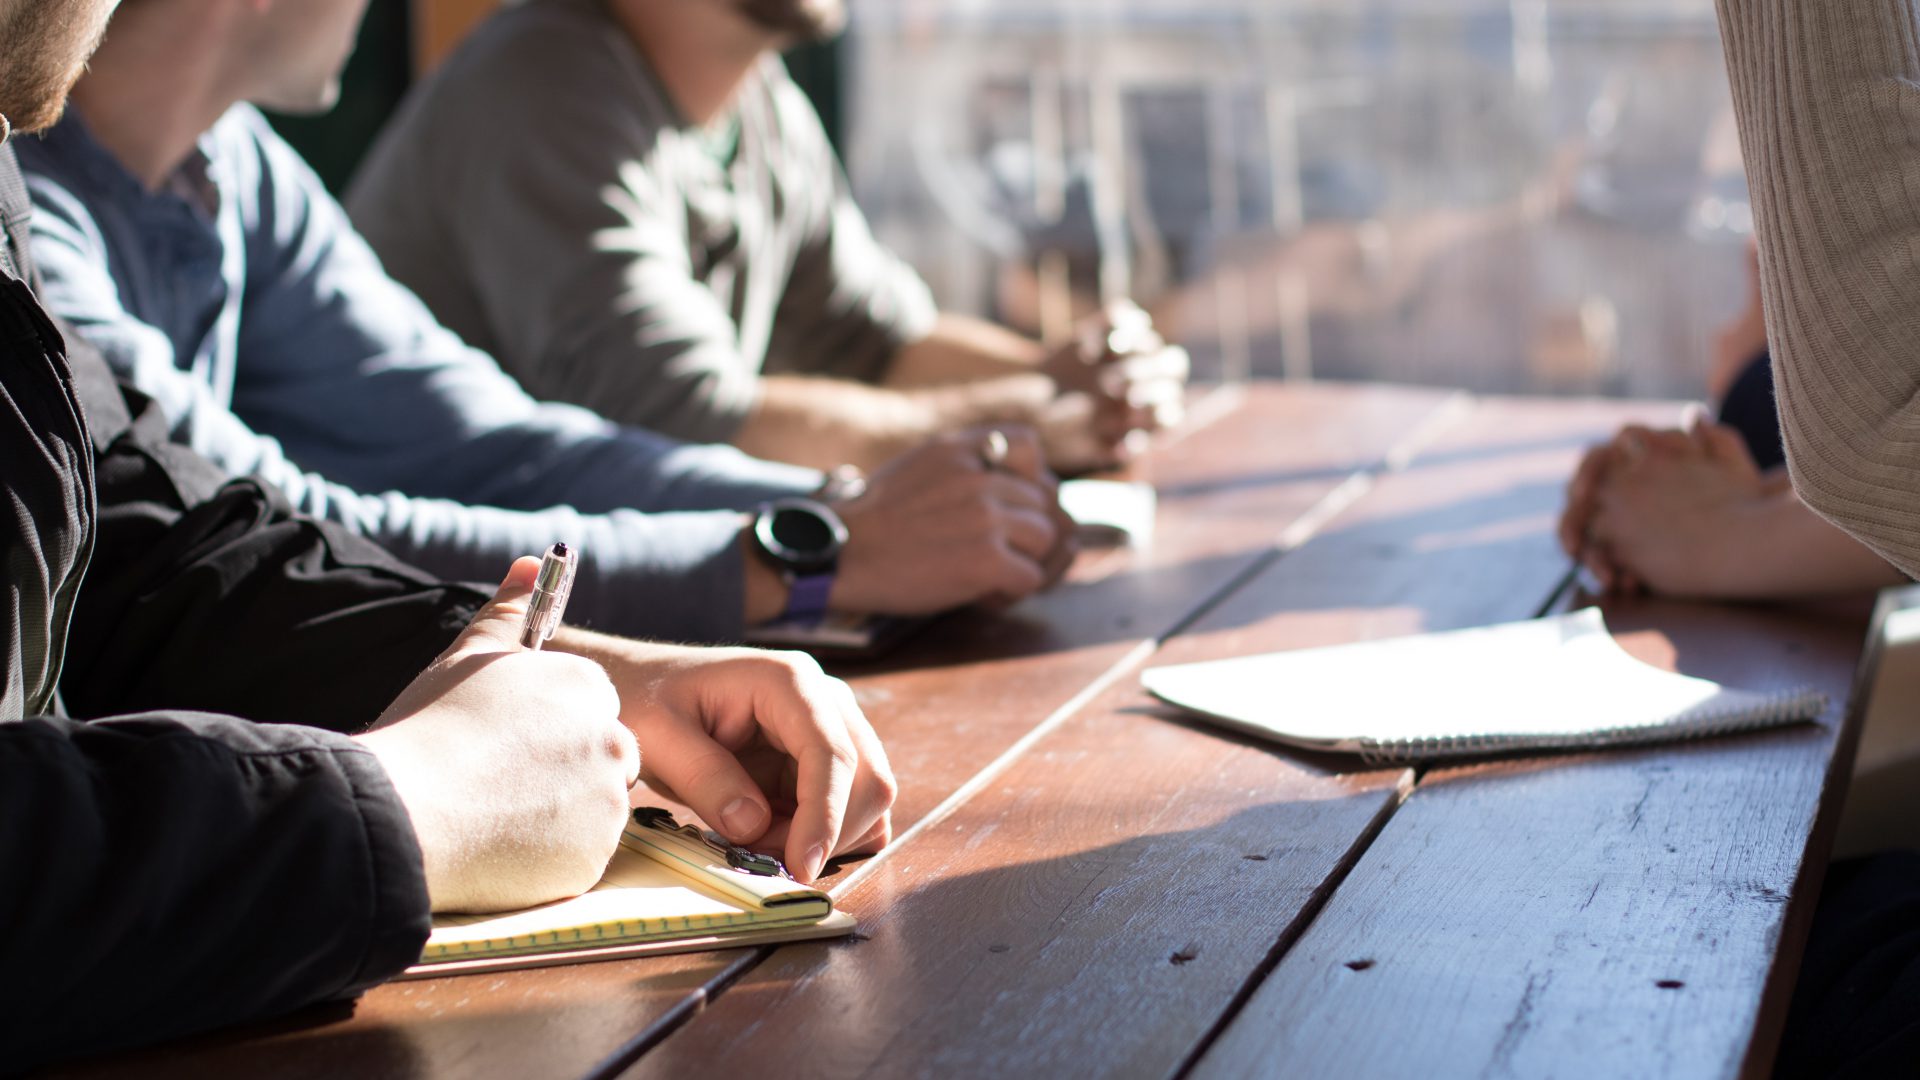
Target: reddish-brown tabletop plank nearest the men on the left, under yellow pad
{"points": [[951, 704]]}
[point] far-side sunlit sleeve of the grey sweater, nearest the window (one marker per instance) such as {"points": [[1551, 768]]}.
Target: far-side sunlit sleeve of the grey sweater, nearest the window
{"points": [[852, 305]]}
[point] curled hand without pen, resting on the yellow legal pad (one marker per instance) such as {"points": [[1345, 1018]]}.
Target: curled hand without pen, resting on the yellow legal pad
{"points": [[767, 749]]}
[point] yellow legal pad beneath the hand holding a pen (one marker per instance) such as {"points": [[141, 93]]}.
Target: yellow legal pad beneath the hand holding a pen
{"points": [[663, 891]]}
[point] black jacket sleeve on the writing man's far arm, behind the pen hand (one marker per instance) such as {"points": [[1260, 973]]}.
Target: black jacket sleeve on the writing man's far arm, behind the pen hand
{"points": [[212, 595]]}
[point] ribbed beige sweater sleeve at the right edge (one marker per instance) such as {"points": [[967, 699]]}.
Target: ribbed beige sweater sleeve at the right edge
{"points": [[1829, 105]]}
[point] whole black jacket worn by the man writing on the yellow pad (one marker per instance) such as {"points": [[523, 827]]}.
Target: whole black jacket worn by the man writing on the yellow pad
{"points": [[187, 835]]}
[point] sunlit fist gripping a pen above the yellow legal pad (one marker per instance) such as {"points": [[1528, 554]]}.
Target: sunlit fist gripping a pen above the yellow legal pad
{"points": [[512, 764]]}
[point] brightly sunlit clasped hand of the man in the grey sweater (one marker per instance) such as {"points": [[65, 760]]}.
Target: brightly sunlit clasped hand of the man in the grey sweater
{"points": [[1115, 380]]}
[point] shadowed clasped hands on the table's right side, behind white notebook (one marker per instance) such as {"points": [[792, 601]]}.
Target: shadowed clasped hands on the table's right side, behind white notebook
{"points": [[1671, 512]]}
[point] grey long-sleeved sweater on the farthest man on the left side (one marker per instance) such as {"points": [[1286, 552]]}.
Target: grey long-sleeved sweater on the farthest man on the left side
{"points": [[554, 207]]}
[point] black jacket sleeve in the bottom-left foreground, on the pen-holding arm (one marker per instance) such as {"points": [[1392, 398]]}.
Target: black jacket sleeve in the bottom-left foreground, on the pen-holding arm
{"points": [[174, 873]]}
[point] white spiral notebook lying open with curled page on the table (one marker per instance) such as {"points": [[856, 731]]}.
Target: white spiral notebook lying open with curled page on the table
{"points": [[1558, 683]]}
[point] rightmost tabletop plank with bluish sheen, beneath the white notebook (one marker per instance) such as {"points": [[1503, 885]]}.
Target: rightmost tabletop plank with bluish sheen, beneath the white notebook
{"points": [[1618, 916]]}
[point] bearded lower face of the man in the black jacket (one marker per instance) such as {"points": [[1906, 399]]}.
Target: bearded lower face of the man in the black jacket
{"points": [[43, 51]]}
